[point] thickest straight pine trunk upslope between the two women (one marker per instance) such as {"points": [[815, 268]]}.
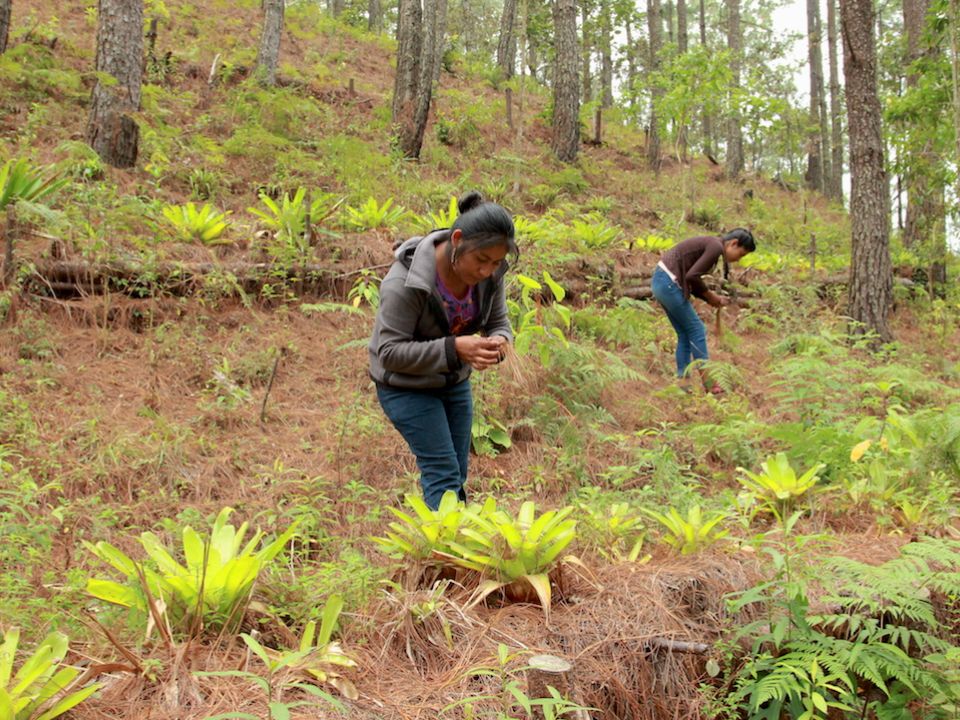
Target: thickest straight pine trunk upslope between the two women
{"points": [[566, 100]]}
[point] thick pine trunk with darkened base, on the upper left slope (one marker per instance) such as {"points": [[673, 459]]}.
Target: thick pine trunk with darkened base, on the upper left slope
{"points": [[111, 129]]}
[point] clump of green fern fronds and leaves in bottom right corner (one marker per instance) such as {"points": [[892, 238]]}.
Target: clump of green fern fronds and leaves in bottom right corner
{"points": [[880, 637]]}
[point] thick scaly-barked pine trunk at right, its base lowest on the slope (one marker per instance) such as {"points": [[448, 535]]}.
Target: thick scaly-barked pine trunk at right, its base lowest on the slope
{"points": [[871, 278]]}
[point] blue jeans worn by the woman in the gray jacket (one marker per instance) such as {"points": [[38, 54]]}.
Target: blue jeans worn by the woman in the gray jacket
{"points": [[436, 425]]}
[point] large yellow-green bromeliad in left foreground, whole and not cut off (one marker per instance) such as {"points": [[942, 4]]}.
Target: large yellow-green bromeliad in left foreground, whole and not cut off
{"points": [[209, 592]]}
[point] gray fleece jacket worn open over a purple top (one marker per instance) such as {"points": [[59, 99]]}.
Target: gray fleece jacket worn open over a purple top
{"points": [[412, 347]]}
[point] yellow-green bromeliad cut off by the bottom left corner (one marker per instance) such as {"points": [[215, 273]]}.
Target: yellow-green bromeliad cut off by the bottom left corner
{"points": [[43, 687]]}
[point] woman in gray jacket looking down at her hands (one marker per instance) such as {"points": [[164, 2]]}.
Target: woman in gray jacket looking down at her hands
{"points": [[442, 314]]}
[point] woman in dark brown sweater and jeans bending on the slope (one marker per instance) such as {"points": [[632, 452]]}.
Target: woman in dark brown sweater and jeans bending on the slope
{"points": [[679, 274]]}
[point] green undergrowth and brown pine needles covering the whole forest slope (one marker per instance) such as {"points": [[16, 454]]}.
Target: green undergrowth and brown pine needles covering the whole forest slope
{"points": [[224, 367]]}
